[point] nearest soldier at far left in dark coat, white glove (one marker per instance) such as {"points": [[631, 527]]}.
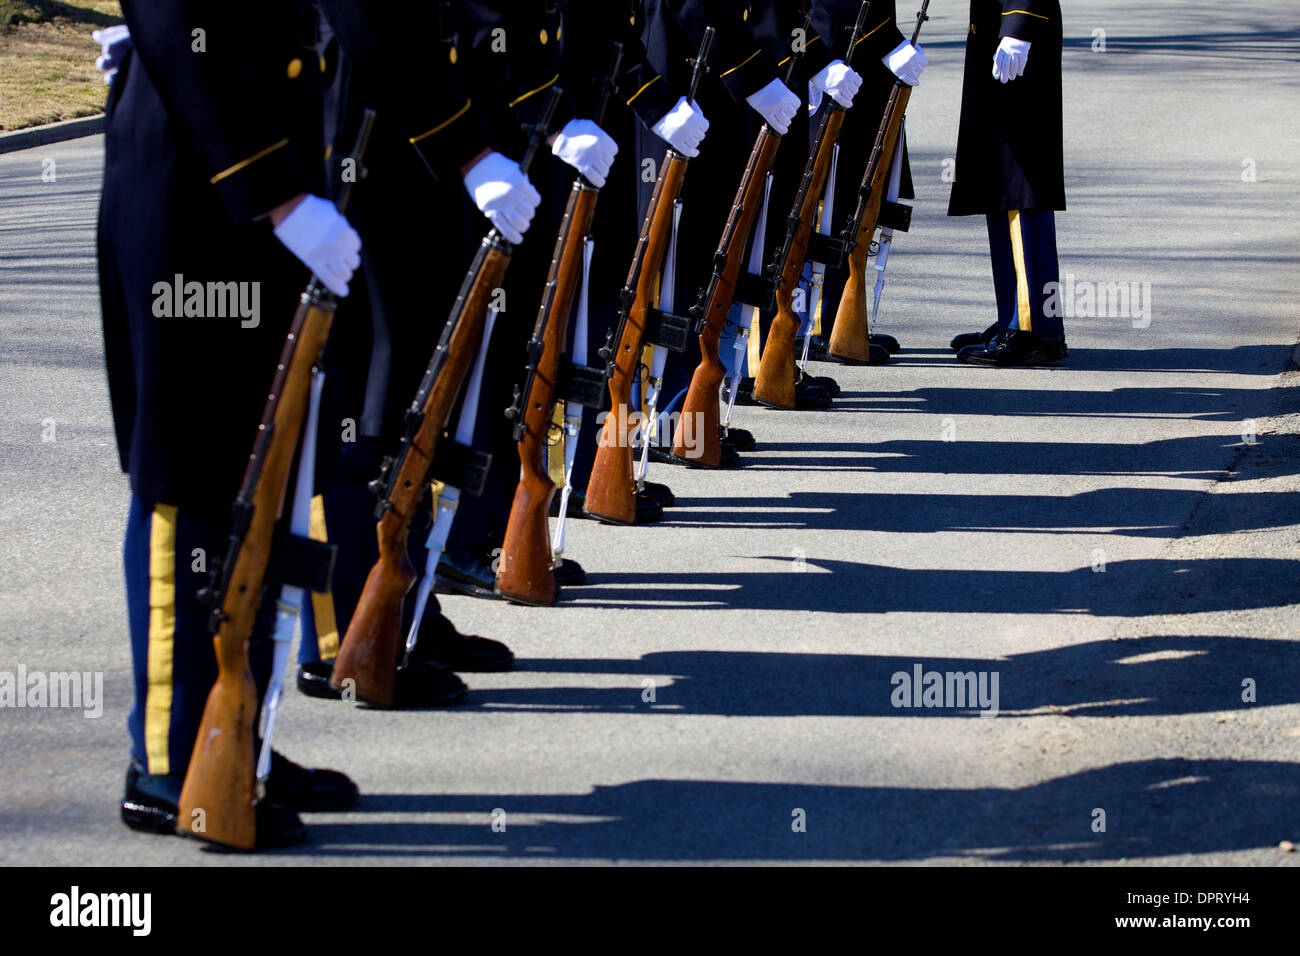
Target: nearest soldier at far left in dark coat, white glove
{"points": [[214, 174]]}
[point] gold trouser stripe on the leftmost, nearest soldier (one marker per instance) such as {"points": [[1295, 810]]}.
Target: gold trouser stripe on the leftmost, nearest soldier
{"points": [[158, 695]]}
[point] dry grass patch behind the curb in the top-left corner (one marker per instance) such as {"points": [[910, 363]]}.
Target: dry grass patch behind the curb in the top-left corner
{"points": [[47, 60]]}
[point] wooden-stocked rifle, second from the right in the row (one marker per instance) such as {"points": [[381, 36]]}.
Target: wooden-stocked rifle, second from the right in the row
{"points": [[774, 386]]}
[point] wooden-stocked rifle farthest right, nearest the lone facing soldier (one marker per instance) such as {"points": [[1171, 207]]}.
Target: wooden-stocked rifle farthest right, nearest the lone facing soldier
{"points": [[851, 338]]}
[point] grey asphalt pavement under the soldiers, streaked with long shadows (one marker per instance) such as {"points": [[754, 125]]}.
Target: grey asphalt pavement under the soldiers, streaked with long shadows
{"points": [[1117, 542]]}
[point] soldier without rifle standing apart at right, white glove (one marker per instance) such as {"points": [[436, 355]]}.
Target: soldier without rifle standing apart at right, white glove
{"points": [[1011, 168]]}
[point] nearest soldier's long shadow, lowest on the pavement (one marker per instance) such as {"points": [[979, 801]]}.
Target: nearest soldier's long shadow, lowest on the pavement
{"points": [[1152, 808]]}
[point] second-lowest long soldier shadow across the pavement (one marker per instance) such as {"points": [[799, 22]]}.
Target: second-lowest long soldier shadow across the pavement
{"points": [[1132, 678]]}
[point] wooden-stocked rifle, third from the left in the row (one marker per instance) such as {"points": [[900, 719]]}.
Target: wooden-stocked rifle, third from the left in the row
{"points": [[525, 573]]}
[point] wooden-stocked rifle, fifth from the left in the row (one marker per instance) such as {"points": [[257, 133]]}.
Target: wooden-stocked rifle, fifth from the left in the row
{"points": [[700, 414]]}
